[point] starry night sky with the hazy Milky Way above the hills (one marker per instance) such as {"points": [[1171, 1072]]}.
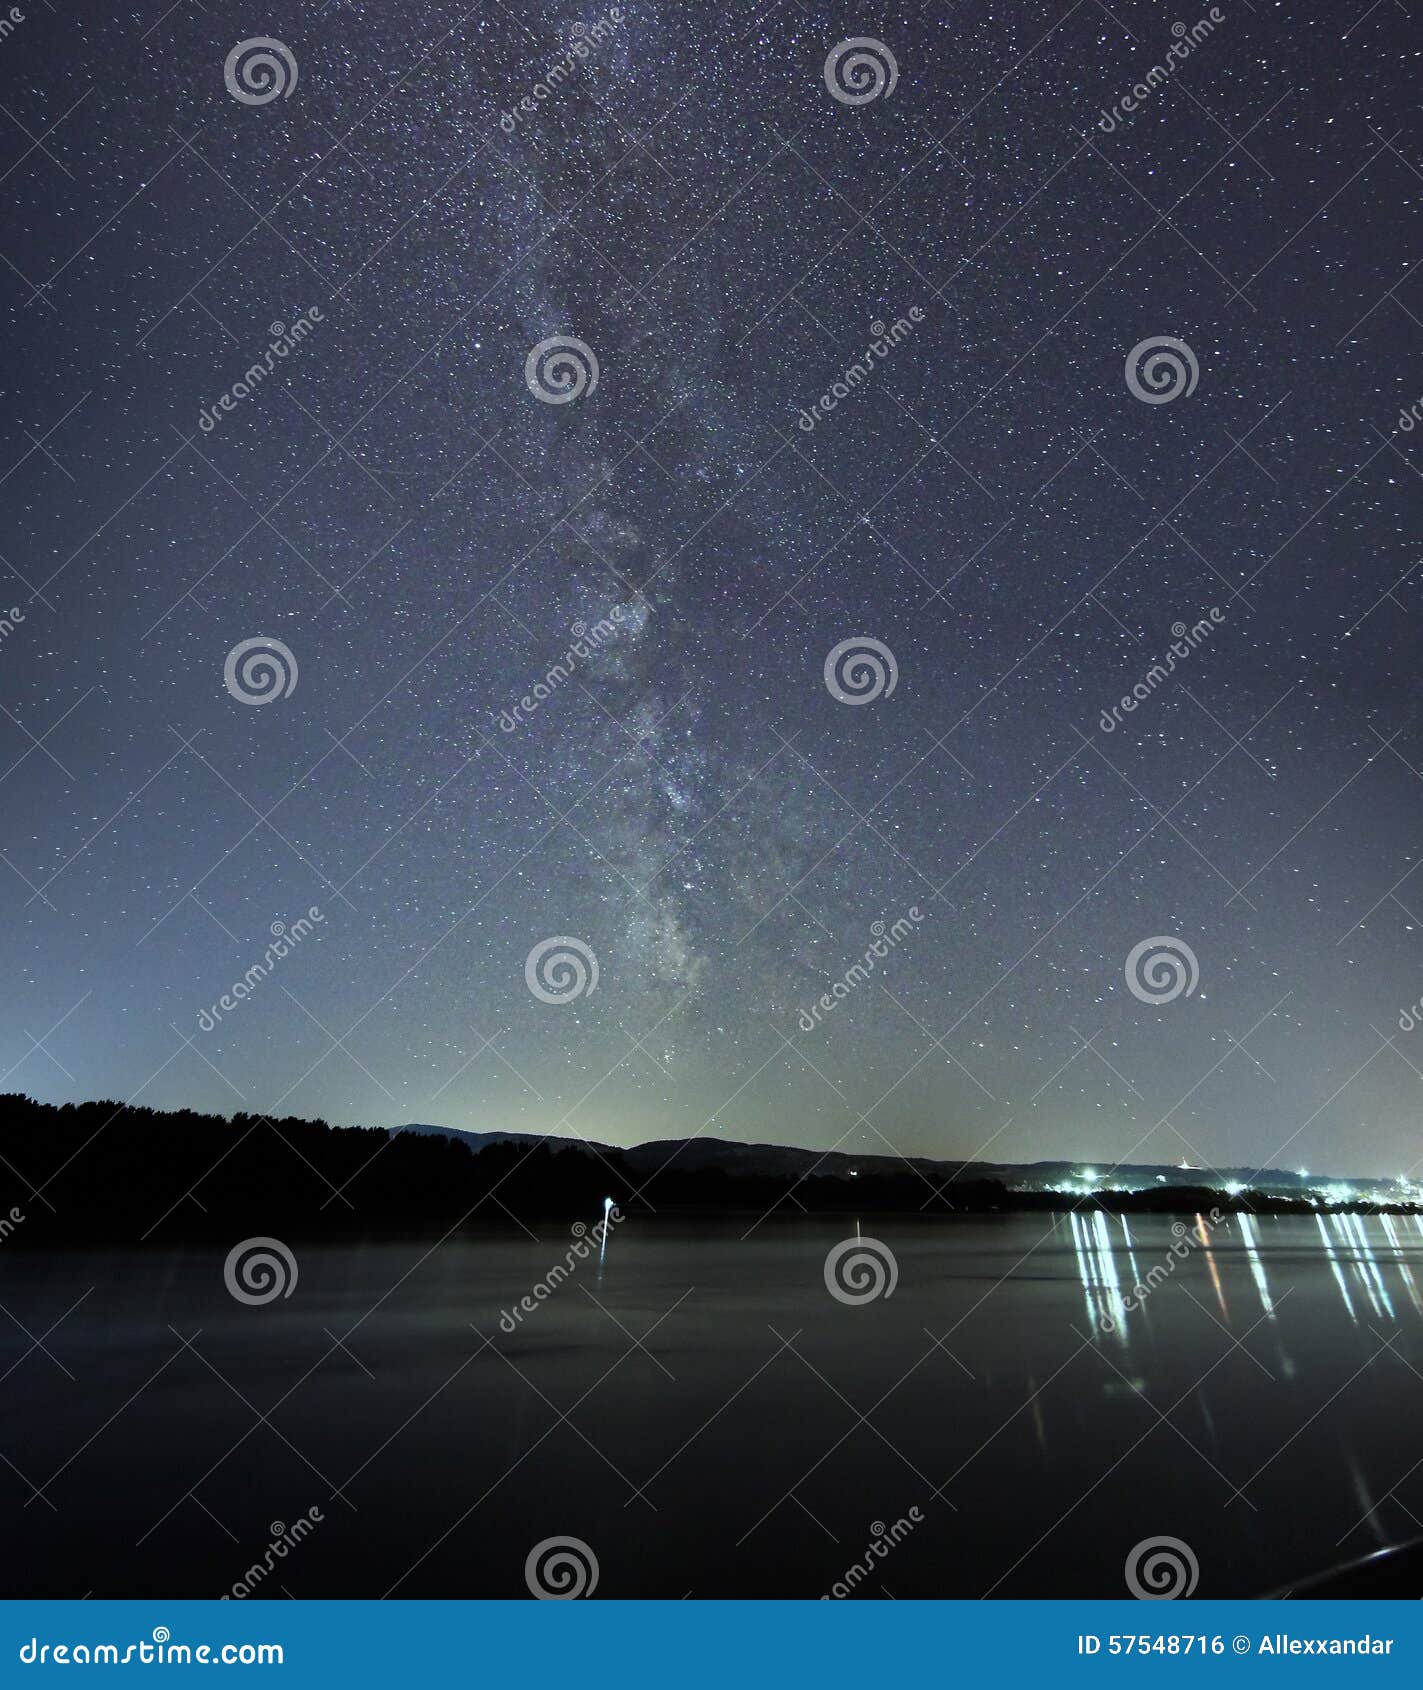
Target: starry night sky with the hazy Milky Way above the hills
{"points": [[719, 827]]}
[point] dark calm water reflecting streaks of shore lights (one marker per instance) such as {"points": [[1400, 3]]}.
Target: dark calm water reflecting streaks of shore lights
{"points": [[753, 1444]]}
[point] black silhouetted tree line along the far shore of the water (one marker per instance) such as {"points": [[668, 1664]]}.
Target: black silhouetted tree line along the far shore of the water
{"points": [[104, 1170]]}
